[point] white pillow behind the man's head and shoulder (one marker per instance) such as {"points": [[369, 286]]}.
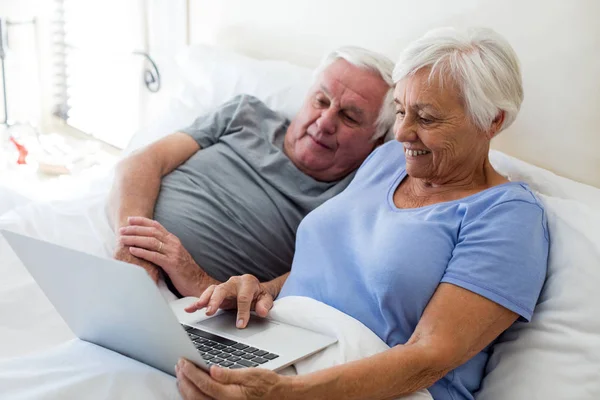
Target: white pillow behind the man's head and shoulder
{"points": [[210, 76]]}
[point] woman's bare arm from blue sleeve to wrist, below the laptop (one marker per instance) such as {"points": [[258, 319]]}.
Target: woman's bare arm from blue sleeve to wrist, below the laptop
{"points": [[455, 326]]}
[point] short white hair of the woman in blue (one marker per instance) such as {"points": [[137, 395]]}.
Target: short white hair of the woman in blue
{"points": [[480, 61]]}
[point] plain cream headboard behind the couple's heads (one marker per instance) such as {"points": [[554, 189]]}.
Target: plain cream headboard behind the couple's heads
{"points": [[558, 43]]}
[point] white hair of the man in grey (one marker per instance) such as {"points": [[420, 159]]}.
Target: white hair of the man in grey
{"points": [[374, 62]]}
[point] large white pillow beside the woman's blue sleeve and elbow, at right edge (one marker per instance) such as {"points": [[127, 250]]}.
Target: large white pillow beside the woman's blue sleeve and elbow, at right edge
{"points": [[557, 354]]}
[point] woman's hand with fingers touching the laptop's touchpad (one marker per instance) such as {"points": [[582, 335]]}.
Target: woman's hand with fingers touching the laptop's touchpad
{"points": [[242, 292]]}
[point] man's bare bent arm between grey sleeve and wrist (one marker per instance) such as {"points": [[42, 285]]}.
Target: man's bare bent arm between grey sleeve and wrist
{"points": [[138, 177]]}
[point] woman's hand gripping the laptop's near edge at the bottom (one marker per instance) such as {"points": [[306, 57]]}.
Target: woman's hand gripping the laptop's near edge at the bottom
{"points": [[234, 384]]}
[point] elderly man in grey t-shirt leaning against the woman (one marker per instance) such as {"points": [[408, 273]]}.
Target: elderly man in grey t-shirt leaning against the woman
{"points": [[225, 196]]}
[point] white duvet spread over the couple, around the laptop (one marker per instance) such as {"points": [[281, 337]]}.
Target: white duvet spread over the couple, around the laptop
{"points": [[41, 359]]}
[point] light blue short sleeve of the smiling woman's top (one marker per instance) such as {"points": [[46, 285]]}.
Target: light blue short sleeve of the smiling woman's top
{"points": [[502, 255]]}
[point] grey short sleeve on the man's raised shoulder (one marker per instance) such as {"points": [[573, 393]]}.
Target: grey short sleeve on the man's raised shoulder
{"points": [[209, 128]]}
